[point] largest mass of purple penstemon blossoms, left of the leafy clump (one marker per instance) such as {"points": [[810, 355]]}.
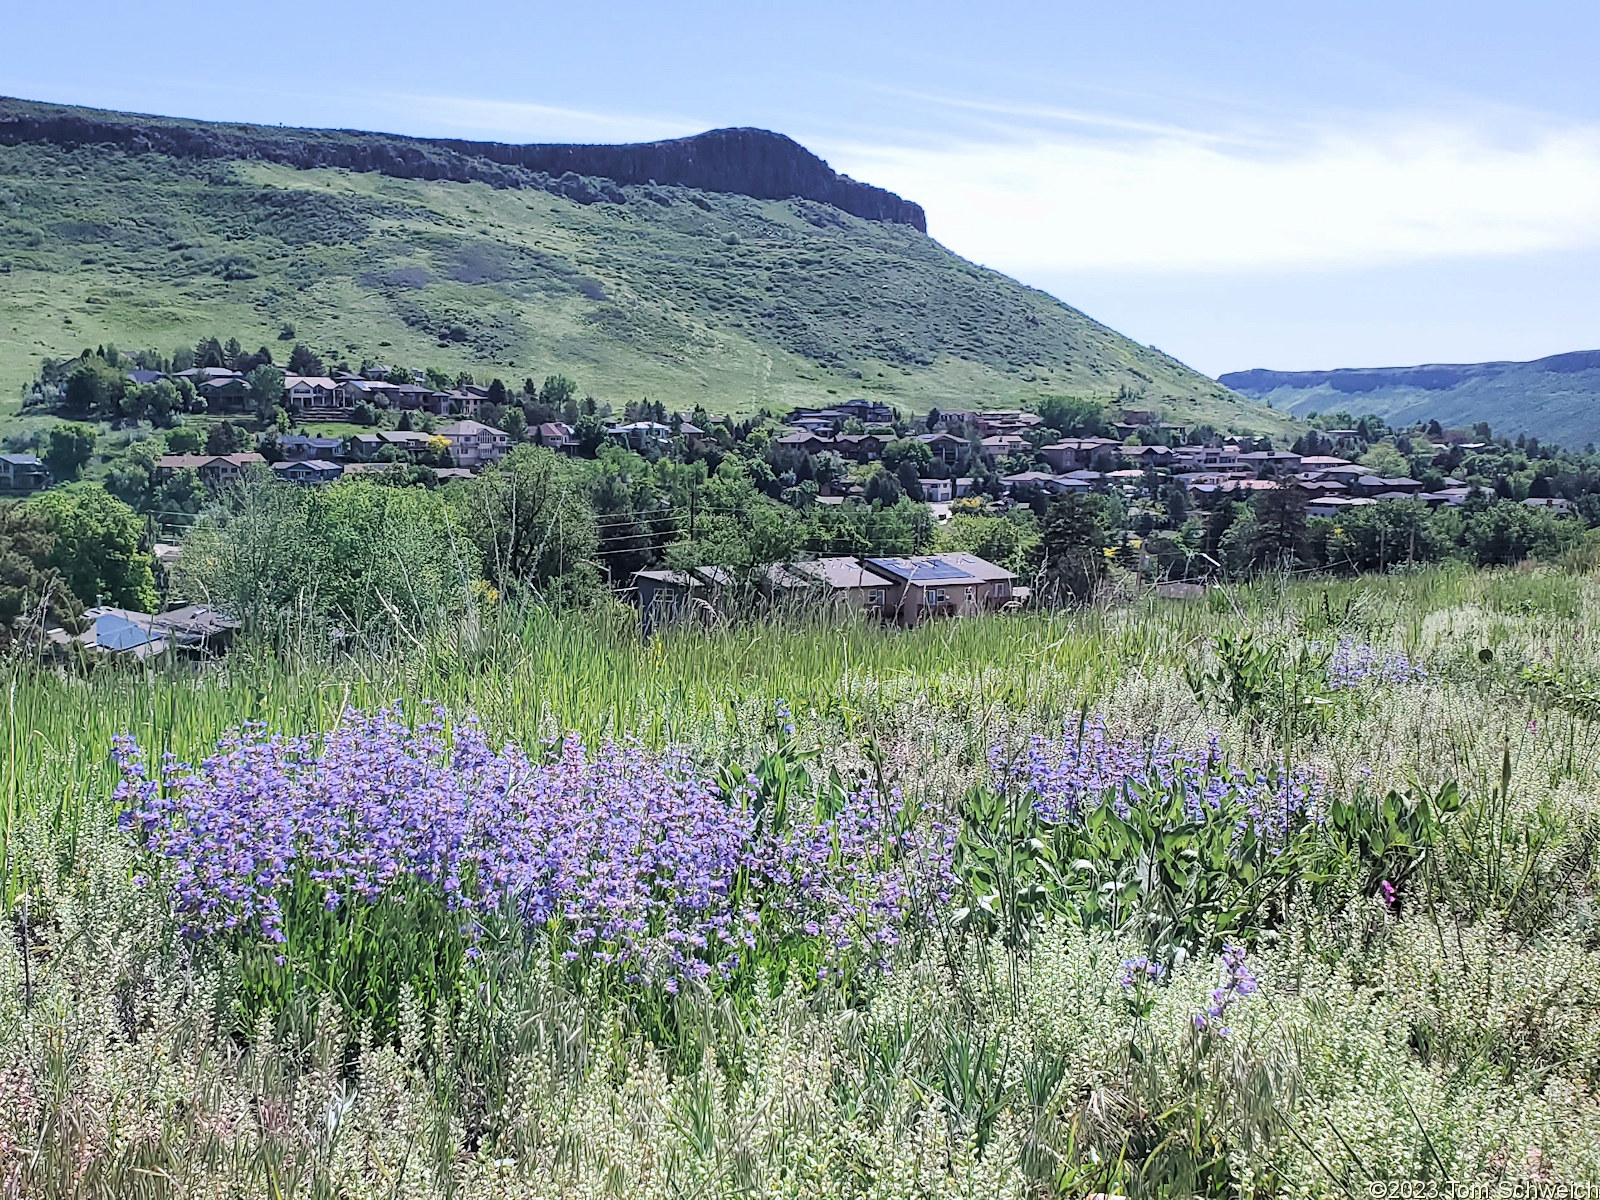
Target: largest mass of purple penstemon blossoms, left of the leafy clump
{"points": [[622, 857]]}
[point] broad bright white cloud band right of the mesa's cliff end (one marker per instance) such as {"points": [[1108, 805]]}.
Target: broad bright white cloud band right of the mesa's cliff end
{"points": [[1366, 193]]}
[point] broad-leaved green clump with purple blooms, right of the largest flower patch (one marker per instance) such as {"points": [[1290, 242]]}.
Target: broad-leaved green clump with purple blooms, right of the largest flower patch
{"points": [[1178, 855]]}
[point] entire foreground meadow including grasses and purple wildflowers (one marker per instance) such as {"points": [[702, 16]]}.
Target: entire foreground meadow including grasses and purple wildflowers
{"points": [[1289, 890]]}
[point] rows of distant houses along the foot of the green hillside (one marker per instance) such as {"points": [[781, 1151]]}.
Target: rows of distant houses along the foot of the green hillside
{"points": [[999, 457]]}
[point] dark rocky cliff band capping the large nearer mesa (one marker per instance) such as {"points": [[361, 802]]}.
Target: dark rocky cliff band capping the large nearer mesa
{"points": [[746, 162]]}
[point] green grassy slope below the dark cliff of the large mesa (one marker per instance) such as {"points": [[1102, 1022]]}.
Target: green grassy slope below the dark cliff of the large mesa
{"points": [[679, 295]]}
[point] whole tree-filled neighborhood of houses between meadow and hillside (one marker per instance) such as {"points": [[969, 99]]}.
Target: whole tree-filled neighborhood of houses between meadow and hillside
{"points": [[855, 510]]}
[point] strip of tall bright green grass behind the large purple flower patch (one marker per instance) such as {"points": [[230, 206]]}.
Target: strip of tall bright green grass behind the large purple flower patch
{"points": [[577, 673]]}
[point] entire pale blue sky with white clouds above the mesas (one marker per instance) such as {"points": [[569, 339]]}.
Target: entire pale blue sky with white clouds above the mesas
{"points": [[1244, 185]]}
